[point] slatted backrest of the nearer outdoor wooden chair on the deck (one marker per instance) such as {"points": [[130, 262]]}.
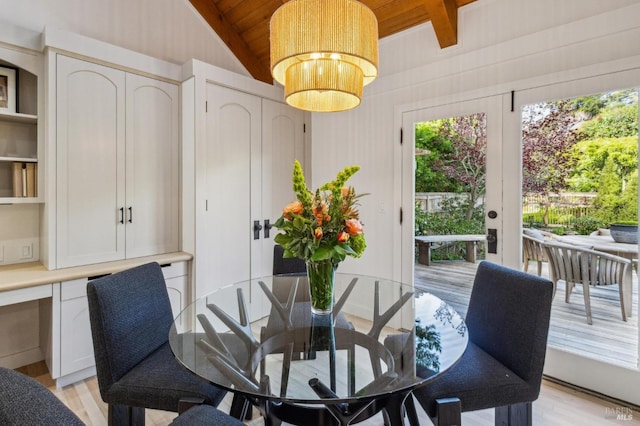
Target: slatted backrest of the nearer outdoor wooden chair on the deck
{"points": [[581, 265]]}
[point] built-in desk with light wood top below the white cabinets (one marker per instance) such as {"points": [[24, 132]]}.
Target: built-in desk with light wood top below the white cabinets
{"points": [[44, 313]]}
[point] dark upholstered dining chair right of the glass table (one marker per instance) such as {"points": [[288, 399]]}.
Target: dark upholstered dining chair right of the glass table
{"points": [[508, 324]]}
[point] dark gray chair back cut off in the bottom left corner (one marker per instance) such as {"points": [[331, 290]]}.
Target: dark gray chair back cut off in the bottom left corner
{"points": [[24, 401]]}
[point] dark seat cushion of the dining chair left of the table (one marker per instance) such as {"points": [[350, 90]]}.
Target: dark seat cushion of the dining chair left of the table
{"points": [[159, 382]]}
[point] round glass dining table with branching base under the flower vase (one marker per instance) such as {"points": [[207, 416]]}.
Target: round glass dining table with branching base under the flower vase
{"points": [[260, 340]]}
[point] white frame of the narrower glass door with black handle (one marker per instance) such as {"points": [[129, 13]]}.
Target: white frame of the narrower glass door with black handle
{"points": [[492, 108]]}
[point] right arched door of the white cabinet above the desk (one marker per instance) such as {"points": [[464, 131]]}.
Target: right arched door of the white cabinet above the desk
{"points": [[152, 161]]}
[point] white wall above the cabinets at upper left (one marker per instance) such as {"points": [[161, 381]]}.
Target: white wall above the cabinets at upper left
{"points": [[170, 30]]}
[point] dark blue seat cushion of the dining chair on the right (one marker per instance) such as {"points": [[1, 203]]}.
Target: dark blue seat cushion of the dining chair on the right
{"points": [[479, 381]]}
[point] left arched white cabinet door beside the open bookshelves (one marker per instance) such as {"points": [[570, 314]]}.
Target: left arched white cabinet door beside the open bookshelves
{"points": [[90, 162]]}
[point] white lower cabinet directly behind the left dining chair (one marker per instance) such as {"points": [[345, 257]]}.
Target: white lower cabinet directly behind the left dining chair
{"points": [[72, 353]]}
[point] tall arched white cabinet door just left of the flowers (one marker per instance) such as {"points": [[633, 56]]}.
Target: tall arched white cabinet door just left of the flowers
{"points": [[224, 217]]}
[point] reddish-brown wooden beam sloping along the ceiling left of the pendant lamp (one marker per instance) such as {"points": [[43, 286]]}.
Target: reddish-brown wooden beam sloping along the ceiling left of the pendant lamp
{"points": [[233, 40]]}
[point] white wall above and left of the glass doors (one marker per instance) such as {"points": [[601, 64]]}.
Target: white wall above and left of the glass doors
{"points": [[504, 45]]}
